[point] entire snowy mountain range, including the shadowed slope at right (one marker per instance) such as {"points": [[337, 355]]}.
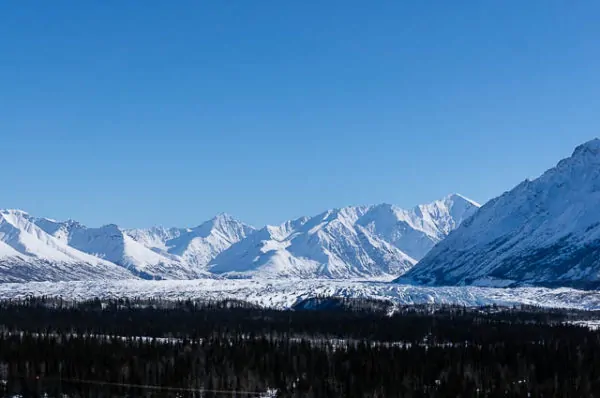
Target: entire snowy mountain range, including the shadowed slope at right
{"points": [[543, 232]]}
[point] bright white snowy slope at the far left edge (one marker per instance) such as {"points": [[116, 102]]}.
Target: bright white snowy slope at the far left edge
{"points": [[28, 253]]}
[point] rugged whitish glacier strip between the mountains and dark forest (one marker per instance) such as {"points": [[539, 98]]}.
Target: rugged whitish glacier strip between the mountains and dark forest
{"points": [[286, 292]]}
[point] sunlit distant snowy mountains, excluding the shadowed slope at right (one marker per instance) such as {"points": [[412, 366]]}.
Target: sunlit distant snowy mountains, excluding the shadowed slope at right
{"points": [[355, 241]]}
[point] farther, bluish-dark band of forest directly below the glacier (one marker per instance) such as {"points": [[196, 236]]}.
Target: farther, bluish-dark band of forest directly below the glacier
{"points": [[328, 317]]}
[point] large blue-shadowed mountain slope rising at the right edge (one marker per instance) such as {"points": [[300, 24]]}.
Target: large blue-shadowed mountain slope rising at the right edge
{"points": [[543, 232]]}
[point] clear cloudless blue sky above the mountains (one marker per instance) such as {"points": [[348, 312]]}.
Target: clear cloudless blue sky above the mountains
{"points": [[160, 112]]}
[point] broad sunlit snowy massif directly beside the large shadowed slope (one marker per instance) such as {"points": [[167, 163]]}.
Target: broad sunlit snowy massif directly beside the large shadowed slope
{"points": [[356, 241]]}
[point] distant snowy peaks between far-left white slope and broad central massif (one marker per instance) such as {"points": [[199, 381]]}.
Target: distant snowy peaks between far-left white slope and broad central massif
{"points": [[154, 253]]}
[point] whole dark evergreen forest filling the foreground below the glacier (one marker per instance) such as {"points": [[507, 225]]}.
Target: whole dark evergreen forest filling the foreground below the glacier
{"points": [[417, 352]]}
